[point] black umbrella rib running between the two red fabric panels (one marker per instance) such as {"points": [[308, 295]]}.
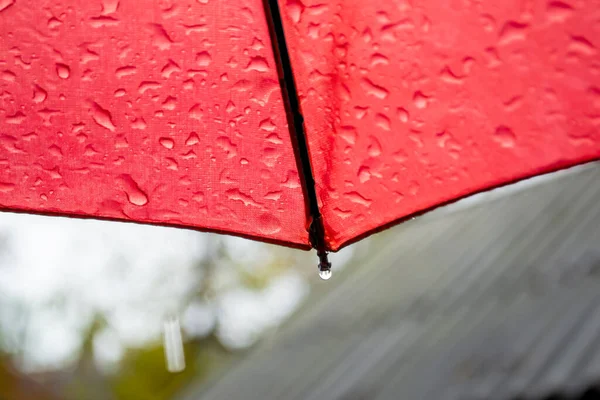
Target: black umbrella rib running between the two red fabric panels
{"points": [[296, 124]]}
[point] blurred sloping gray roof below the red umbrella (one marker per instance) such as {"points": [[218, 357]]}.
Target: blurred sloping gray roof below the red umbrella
{"points": [[497, 300]]}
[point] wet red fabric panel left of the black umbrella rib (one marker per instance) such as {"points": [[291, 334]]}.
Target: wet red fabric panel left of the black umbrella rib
{"points": [[165, 112]]}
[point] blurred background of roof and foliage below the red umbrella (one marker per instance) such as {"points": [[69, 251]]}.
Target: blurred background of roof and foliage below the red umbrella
{"points": [[496, 296]]}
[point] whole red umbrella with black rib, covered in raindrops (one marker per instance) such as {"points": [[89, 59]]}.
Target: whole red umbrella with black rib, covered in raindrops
{"points": [[186, 113]]}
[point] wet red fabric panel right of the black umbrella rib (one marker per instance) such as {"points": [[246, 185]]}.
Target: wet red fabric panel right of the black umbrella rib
{"points": [[411, 104]]}
